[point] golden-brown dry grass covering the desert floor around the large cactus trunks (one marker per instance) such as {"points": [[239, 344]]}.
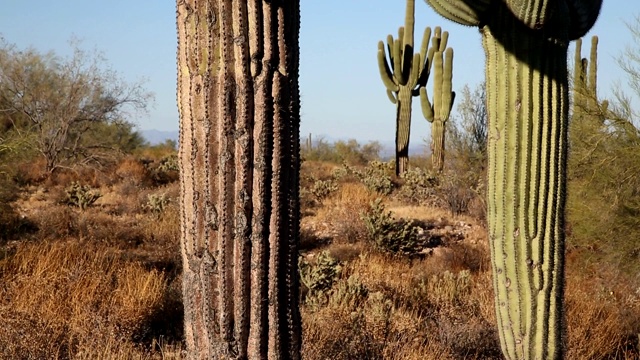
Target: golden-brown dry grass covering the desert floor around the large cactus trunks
{"points": [[104, 283]]}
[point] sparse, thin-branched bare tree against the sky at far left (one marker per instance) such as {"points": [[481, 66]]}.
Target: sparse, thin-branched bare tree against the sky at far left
{"points": [[60, 100]]}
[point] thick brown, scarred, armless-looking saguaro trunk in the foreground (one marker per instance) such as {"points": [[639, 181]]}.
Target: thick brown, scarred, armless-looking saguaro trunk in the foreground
{"points": [[239, 106]]}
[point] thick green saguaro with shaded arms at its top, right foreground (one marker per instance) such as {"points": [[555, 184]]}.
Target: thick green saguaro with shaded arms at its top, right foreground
{"points": [[526, 44]]}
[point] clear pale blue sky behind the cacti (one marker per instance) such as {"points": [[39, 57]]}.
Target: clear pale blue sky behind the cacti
{"points": [[342, 94]]}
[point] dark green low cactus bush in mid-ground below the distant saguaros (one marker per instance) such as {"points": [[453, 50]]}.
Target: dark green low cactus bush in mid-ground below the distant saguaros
{"points": [[389, 235]]}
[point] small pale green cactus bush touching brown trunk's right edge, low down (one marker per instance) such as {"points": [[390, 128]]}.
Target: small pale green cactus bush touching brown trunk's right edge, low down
{"points": [[319, 277]]}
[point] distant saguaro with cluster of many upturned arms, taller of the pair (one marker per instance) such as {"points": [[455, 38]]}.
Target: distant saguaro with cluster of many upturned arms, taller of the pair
{"points": [[403, 73]]}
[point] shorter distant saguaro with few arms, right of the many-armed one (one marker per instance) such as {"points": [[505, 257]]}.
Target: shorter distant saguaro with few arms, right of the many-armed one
{"points": [[437, 113]]}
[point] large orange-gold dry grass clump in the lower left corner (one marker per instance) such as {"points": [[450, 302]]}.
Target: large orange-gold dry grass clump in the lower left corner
{"points": [[65, 298]]}
